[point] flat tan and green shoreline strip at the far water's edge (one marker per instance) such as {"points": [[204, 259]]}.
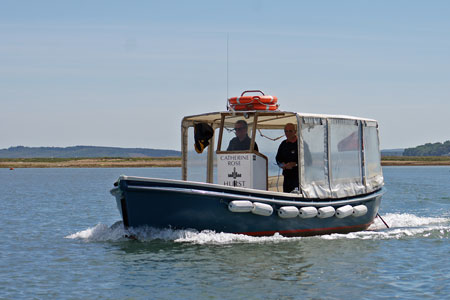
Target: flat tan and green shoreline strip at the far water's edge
{"points": [[175, 162]]}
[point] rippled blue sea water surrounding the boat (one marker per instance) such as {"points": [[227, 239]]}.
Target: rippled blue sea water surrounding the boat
{"points": [[57, 242]]}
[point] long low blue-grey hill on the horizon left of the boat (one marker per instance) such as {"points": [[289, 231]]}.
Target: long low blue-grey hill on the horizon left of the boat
{"points": [[83, 151]]}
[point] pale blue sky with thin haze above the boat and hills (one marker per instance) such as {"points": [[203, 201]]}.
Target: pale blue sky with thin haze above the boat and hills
{"points": [[124, 73]]}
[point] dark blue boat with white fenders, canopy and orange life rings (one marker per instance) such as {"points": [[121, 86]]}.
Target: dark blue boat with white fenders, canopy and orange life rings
{"points": [[340, 183]]}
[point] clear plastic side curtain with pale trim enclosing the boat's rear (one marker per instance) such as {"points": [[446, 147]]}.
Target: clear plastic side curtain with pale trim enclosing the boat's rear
{"points": [[332, 157]]}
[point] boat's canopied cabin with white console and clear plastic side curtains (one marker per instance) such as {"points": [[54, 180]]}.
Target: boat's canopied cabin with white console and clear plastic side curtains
{"points": [[338, 156]]}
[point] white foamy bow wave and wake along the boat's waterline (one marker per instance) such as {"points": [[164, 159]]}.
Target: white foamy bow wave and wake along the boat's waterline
{"points": [[401, 226]]}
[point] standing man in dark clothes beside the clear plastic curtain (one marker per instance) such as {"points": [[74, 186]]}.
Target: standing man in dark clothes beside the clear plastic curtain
{"points": [[287, 158]]}
